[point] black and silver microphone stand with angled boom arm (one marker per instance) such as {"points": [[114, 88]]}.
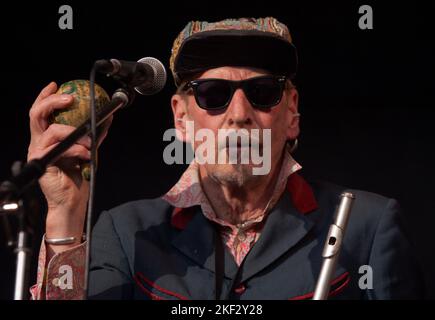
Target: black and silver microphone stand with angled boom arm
{"points": [[12, 190]]}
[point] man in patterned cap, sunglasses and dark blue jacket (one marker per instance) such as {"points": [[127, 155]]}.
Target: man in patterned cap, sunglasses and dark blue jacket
{"points": [[222, 232]]}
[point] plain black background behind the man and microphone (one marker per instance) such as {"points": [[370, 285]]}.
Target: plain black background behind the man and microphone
{"points": [[366, 96]]}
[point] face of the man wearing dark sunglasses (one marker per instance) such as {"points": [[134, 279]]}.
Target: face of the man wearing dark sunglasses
{"points": [[239, 114]]}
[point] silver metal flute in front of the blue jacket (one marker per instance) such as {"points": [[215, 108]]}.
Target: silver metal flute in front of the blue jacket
{"points": [[332, 247]]}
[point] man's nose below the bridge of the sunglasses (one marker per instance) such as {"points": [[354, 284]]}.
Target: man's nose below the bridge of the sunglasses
{"points": [[240, 111]]}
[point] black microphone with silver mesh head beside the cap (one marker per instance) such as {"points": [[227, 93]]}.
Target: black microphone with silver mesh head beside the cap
{"points": [[147, 76]]}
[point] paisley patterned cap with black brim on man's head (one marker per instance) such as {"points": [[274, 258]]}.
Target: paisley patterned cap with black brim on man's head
{"points": [[263, 43]]}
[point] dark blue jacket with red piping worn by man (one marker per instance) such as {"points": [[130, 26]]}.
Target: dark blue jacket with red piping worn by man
{"points": [[139, 253]]}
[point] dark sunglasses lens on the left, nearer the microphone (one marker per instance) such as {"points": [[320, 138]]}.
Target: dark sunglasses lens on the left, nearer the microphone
{"points": [[213, 94]]}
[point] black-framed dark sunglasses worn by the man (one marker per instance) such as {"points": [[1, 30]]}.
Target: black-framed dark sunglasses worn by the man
{"points": [[214, 94]]}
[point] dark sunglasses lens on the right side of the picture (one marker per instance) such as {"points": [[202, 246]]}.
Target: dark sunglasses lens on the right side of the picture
{"points": [[264, 92]]}
